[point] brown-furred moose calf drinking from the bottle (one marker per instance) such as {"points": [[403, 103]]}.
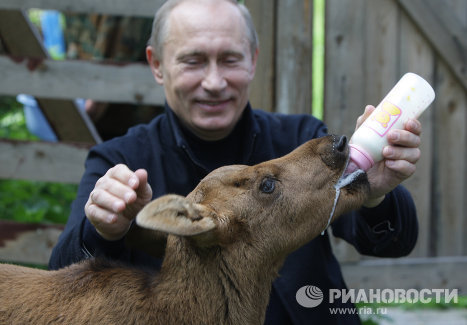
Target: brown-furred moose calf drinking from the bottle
{"points": [[235, 238]]}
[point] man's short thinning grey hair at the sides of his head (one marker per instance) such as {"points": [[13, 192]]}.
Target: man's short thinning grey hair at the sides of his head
{"points": [[160, 26]]}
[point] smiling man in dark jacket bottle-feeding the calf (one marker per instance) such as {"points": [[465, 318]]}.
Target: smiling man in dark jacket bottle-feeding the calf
{"points": [[204, 54]]}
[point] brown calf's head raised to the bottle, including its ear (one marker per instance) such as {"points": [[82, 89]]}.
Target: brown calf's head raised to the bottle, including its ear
{"points": [[278, 205]]}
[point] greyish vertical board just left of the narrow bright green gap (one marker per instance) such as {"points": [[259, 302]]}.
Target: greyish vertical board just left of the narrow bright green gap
{"points": [[294, 56]]}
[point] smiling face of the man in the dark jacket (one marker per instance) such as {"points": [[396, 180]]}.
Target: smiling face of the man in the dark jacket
{"points": [[207, 66]]}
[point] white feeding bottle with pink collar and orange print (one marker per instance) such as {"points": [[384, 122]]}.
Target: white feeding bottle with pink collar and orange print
{"points": [[408, 99]]}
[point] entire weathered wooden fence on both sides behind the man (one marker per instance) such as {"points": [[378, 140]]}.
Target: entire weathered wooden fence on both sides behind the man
{"points": [[370, 44]]}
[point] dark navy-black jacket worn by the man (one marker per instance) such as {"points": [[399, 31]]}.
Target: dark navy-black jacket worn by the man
{"points": [[176, 161]]}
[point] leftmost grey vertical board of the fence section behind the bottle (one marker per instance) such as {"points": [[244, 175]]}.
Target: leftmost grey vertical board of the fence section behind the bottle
{"points": [[344, 97]]}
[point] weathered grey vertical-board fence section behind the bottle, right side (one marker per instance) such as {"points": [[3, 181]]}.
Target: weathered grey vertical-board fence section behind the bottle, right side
{"points": [[370, 44]]}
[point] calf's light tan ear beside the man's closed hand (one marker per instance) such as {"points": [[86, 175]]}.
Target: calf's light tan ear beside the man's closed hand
{"points": [[173, 214]]}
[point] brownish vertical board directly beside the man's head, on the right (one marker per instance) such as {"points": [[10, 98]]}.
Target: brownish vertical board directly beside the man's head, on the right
{"points": [[262, 87]]}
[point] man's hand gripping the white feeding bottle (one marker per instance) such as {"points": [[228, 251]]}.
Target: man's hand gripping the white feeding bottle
{"points": [[400, 157]]}
